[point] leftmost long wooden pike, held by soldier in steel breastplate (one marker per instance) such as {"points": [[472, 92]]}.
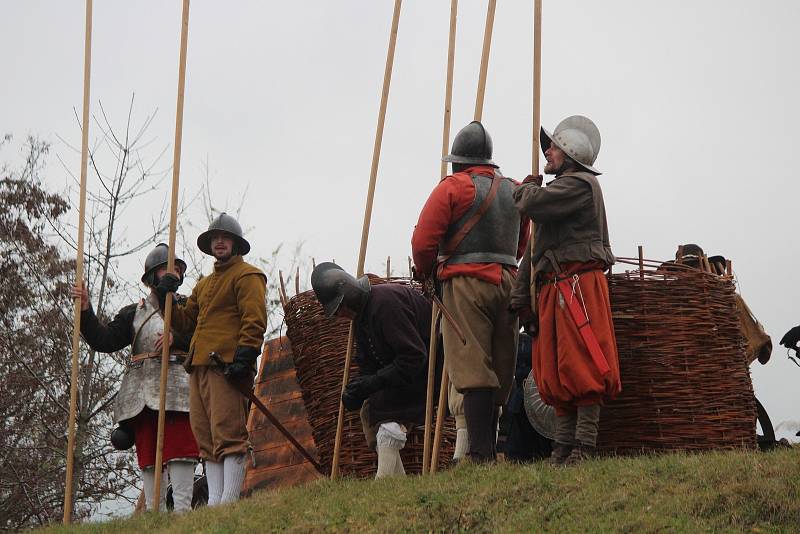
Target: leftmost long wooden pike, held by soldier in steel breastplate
{"points": [[76, 328]]}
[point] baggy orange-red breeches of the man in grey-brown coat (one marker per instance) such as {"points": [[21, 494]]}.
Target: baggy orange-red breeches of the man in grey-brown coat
{"points": [[563, 368]]}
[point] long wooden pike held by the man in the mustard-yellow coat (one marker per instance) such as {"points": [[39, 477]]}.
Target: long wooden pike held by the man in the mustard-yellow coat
{"points": [[176, 171]]}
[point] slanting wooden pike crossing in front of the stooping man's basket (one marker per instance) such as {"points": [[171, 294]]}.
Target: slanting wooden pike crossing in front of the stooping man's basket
{"points": [[376, 154]]}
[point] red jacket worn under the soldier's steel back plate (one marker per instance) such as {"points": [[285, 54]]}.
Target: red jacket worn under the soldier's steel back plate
{"points": [[448, 203]]}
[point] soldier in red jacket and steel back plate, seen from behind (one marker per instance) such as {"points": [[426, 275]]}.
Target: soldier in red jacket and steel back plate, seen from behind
{"points": [[470, 237]]}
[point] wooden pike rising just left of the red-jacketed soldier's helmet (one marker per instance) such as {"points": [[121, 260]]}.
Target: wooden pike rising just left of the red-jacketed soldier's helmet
{"points": [[428, 462]]}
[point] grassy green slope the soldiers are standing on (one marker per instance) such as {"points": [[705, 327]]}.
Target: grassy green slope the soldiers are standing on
{"points": [[726, 491]]}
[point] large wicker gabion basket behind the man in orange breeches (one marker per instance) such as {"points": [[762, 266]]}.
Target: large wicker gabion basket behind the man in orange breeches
{"points": [[685, 378]]}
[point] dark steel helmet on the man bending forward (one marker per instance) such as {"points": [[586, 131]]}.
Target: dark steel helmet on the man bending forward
{"points": [[334, 286]]}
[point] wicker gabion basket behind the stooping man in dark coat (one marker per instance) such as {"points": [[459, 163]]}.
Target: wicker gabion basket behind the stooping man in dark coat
{"points": [[319, 346]]}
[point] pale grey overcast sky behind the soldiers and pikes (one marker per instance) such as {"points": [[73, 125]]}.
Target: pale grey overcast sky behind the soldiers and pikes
{"points": [[696, 102]]}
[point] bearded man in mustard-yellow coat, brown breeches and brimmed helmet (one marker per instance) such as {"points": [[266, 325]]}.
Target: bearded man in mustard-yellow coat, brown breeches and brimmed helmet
{"points": [[227, 311]]}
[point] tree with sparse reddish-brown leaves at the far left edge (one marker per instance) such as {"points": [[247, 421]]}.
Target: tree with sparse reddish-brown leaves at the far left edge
{"points": [[35, 350]]}
